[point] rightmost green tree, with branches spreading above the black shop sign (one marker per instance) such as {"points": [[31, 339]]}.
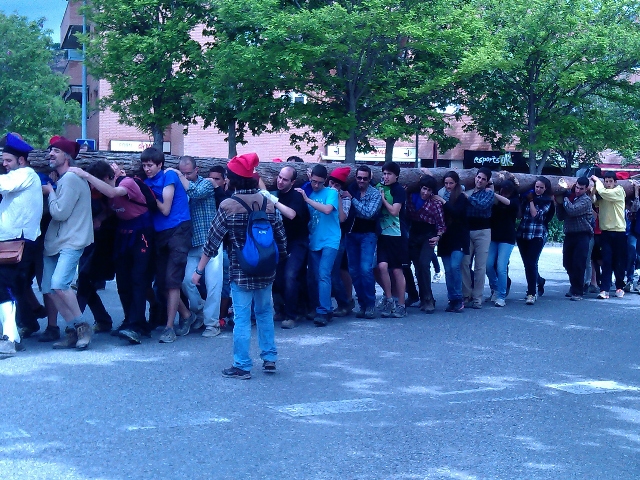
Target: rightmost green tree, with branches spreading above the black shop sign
{"points": [[561, 64]]}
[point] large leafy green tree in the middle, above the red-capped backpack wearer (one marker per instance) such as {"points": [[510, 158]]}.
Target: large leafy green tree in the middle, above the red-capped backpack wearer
{"points": [[361, 64]]}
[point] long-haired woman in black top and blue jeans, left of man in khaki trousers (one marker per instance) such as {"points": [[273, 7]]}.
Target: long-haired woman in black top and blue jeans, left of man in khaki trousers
{"points": [[454, 244]]}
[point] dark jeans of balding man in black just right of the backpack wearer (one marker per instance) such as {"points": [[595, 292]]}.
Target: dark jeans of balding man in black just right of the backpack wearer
{"points": [[289, 278]]}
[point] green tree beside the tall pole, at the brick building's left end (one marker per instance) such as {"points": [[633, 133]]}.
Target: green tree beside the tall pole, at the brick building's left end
{"points": [[144, 49]]}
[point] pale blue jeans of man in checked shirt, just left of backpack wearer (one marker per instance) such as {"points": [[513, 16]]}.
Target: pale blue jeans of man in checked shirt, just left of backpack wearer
{"points": [[210, 307]]}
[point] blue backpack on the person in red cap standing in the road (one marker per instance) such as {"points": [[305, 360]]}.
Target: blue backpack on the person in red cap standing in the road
{"points": [[258, 256]]}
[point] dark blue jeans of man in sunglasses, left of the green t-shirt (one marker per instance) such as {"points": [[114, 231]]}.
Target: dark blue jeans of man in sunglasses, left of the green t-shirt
{"points": [[361, 253]]}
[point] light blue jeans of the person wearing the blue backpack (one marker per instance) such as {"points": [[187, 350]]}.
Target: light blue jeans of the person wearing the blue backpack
{"points": [[263, 308]]}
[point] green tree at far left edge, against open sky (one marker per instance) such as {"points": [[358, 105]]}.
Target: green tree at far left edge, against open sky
{"points": [[31, 100]]}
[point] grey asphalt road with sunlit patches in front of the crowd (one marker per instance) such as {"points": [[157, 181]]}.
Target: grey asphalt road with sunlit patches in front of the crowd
{"points": [[550, 391]]}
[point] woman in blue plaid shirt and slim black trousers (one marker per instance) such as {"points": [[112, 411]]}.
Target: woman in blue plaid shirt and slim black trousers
{"points": [[532, 232]]}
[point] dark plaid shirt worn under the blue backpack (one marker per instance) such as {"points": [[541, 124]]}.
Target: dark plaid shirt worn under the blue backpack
{"points": [[232, 219]]}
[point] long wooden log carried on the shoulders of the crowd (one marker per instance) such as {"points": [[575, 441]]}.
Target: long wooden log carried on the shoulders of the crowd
{"points": [[268, 171]]}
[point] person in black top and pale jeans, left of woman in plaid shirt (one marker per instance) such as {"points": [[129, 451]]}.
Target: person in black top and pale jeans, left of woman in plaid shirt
{"points": [[503, 238]]}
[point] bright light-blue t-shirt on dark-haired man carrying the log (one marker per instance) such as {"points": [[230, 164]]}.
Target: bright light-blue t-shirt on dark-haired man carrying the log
{"points": [[324, 230]]}
